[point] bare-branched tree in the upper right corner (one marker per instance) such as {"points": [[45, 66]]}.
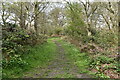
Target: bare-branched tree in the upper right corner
{"points": [[110, 14]]}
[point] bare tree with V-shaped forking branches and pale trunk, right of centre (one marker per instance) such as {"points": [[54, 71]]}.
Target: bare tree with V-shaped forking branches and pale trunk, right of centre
{"points": [[89, 11]]}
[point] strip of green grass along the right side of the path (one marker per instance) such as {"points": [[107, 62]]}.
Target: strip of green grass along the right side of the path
{"points": [[81, 60]]}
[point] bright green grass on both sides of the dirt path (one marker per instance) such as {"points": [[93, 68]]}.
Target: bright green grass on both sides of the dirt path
{"points": [[40, 56]]}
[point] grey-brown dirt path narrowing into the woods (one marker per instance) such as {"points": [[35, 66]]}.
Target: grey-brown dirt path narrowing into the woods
{"points": [[61, 67]]}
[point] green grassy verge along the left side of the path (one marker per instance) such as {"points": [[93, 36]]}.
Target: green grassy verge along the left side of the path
{"points": [[38, 56]]}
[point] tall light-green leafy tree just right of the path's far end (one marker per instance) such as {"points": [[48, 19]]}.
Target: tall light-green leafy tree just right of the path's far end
{"points": [[76, 27]]}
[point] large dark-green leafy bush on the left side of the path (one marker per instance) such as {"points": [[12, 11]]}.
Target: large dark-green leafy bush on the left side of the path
{"points": [[14, 45]]}
